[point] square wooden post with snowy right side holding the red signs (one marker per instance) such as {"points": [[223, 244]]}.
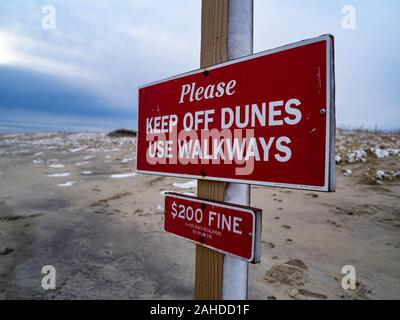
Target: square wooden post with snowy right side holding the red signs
{"points": [[221, 33]]}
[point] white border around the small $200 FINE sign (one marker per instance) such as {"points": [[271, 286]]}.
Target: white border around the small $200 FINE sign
{"points": [[256, 229]]}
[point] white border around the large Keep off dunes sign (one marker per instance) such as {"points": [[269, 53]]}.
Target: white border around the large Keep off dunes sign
{"points": [[330, 165]]}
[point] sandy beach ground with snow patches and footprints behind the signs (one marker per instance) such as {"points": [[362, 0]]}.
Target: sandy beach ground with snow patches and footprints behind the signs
{"points": [[73, 200]]}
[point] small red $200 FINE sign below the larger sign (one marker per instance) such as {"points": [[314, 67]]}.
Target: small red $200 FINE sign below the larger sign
{"points": [[231, 229]]}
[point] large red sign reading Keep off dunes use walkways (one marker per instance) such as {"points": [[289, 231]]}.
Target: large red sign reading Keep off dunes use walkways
{"points": [[264, 119]]}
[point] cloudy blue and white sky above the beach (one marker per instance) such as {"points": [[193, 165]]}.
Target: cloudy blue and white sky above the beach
{"points": [[84, 73]]}
